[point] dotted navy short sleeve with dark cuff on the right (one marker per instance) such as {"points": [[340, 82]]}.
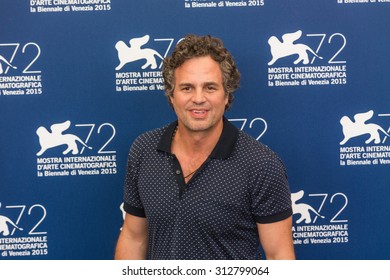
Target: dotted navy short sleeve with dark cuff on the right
{"points": [[271, 196]]}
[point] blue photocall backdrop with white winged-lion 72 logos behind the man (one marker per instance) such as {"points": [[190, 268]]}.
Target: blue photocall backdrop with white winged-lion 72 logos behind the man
{"points": [[80, 79]]}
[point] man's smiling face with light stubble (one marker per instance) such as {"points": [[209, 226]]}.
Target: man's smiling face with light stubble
{"points": [[199, 98]]}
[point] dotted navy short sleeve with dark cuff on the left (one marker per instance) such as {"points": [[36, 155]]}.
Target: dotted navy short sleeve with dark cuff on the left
{"points": [[132, 201]]}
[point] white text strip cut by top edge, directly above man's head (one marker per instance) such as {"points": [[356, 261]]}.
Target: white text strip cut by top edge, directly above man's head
{"points": [[188, 4]]}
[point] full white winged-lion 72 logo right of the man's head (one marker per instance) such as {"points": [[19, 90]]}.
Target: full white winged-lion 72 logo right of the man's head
{"points": [[294, 63]]}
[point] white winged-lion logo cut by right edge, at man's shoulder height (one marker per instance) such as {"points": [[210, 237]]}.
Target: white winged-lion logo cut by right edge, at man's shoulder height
{"points": [[365, 142]]}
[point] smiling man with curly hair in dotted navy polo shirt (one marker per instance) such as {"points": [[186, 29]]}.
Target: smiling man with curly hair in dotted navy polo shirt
{"points": [[199, 188]]}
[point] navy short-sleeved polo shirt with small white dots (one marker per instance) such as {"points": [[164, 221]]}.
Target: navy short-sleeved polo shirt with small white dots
{"points": [[214, 216]]}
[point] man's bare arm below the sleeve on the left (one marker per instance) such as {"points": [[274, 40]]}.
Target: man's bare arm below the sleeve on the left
{"points": [[133, 240]]}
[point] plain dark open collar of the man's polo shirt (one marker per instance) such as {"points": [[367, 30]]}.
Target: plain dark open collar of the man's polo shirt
{"points": [[222, 150]]}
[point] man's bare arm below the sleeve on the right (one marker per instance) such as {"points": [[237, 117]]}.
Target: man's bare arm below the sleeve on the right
{"points": [[276, 240]]}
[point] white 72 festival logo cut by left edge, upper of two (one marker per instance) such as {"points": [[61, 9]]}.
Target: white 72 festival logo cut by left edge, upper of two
{"points": [[19, 73]]}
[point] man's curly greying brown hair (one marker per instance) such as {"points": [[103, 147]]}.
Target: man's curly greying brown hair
{"points": [[197, 46]]}
